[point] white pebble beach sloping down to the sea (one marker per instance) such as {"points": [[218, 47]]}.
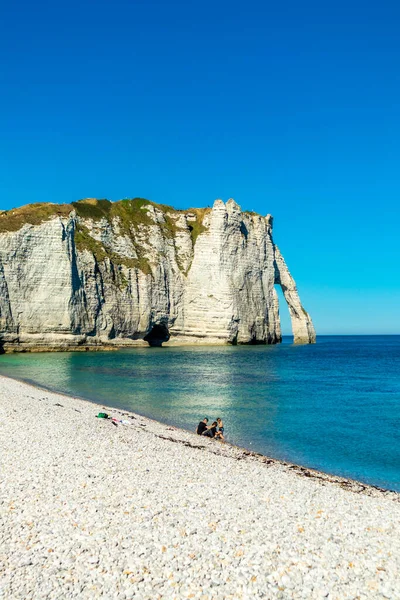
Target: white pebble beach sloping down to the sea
{"points": [[92, 509]]}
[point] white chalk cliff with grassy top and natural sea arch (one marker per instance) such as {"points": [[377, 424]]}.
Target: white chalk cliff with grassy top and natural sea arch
{"points": [[95, 273]]}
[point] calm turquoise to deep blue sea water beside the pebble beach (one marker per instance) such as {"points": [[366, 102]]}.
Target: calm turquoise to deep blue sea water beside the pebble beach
{"points": [[333, 406]]}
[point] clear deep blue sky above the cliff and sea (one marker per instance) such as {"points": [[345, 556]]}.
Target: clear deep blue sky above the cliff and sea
{"points": [[292, 108]]}
